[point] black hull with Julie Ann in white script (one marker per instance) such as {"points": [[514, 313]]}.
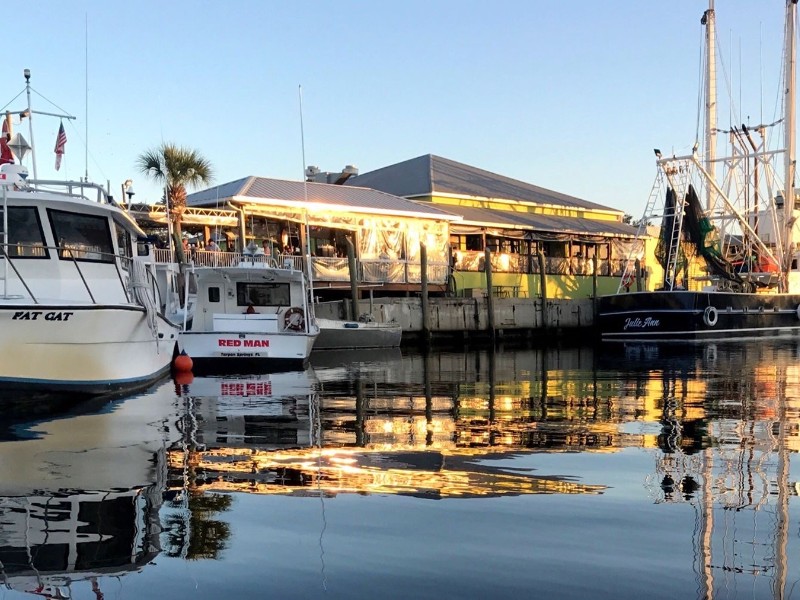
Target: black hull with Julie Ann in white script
{"points": [[679, 315]]}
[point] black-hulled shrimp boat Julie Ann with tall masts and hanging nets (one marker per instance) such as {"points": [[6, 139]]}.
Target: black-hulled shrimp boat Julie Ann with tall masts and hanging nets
{"points": [[727, 252]]}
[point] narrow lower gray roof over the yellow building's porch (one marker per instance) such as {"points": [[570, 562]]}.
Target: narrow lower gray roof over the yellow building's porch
{"points": [[542, 223]]}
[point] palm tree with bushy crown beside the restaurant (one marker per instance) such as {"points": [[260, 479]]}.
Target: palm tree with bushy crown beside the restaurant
{"points": [[176, 168]]}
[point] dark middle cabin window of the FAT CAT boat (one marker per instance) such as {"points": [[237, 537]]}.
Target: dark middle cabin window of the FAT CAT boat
{"points": [[82, 237]]}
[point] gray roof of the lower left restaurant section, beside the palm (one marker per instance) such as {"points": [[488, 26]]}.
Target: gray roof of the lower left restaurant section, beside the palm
{"points": [[356, 199]]}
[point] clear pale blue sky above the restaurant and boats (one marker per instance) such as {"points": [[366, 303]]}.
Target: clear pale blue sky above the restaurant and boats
{"points": [[568, 95]]}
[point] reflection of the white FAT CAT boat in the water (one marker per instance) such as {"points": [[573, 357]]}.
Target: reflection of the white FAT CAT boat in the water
{"points": [[80, 495]]}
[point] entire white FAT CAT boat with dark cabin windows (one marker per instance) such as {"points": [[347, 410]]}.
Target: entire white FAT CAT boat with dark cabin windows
{"points": [[80, 310]]}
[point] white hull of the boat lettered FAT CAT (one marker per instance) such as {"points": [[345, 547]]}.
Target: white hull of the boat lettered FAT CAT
{"points": [[82, 348]]}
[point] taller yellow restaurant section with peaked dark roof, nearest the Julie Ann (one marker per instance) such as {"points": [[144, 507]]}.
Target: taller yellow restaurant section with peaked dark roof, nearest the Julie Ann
{"points": [[522, 225]]}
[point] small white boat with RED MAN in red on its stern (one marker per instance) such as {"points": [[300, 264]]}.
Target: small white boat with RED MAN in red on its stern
{"points": [[249, 318]]}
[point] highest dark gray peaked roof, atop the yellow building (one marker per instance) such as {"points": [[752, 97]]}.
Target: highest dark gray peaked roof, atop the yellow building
{"points": [[429, 174]]}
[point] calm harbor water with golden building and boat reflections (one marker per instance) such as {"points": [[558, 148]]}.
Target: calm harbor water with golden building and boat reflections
{"points": [[573, 473]]}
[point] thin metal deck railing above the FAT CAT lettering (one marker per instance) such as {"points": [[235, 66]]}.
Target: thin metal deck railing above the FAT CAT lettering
{"points": [[122, 265]]}
